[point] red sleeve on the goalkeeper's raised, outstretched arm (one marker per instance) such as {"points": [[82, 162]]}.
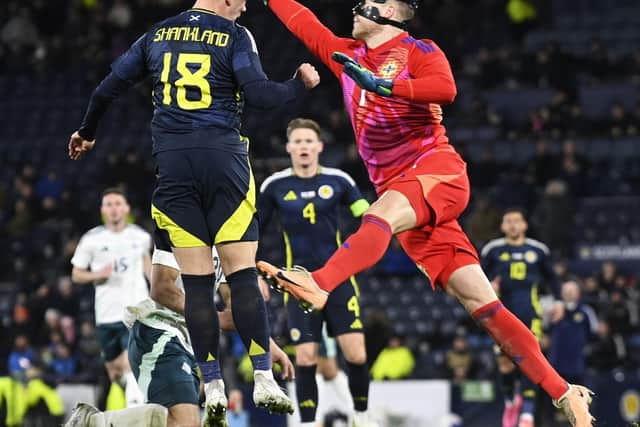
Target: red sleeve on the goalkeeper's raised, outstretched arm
{"points": [[316, 37]]}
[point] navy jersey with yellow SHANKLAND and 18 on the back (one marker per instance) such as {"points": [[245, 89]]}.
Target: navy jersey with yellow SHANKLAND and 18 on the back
{"points": [[198, 63]]}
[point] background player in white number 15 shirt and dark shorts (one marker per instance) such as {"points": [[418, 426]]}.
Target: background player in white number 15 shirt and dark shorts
{"points": [[115, 258]]}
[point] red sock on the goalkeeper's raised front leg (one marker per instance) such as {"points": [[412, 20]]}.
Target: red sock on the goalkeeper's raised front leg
{"points": [[360, 251]]}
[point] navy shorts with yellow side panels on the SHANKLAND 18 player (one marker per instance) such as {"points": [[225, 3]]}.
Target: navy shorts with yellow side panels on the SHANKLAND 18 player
{"points": [[204, 197]]}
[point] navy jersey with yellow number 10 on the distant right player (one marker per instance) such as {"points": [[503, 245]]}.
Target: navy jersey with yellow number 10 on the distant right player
{"points": [[522, 269]]}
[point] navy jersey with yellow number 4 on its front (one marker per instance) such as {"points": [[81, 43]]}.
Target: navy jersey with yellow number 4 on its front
{"points": [[308, 212]]}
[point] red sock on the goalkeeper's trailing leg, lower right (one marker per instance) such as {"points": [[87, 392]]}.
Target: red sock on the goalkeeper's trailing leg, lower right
{"points": [[517, 342]]}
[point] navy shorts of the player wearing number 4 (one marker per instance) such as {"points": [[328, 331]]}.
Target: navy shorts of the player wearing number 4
{"points": [[342, 314]]}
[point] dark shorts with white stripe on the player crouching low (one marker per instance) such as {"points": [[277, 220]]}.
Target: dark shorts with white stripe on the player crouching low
{"points": [[166, 373]]}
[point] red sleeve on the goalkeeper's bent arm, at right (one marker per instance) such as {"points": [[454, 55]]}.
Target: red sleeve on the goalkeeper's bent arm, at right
{"points": [[431, 77]]}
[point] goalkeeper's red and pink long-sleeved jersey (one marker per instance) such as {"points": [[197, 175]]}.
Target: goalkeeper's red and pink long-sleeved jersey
{"points": [[392, 133]]}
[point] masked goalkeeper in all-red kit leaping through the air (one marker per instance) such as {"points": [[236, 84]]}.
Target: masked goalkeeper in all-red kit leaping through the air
{"points": [[394, 86]]}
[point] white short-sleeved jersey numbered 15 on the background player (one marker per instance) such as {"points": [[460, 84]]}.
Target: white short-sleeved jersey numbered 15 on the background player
{"points": [[125, 252]]}
